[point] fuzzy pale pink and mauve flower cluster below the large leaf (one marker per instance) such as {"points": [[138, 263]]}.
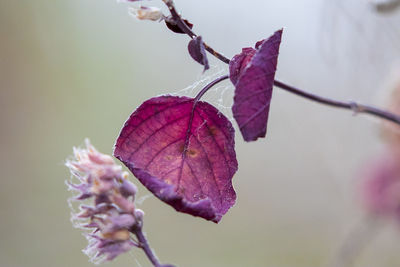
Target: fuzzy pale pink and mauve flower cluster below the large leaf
{"points": [[107, 203]]}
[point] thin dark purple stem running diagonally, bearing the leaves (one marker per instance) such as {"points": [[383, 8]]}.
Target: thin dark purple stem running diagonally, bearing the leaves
{"points": [[356, 107]]}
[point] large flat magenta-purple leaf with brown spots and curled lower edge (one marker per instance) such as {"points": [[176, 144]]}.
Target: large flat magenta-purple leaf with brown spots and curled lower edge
{"points": [[183, 152]]}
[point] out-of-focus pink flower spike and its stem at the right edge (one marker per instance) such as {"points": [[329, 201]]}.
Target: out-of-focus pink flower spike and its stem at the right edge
{"points": [[379, 190]]}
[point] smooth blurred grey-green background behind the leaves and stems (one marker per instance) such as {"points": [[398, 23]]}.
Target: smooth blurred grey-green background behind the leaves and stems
{"points": [[77, 68]]}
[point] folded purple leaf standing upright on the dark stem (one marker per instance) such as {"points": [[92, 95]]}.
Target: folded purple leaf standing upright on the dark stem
{"points": [[253, 73]]}
